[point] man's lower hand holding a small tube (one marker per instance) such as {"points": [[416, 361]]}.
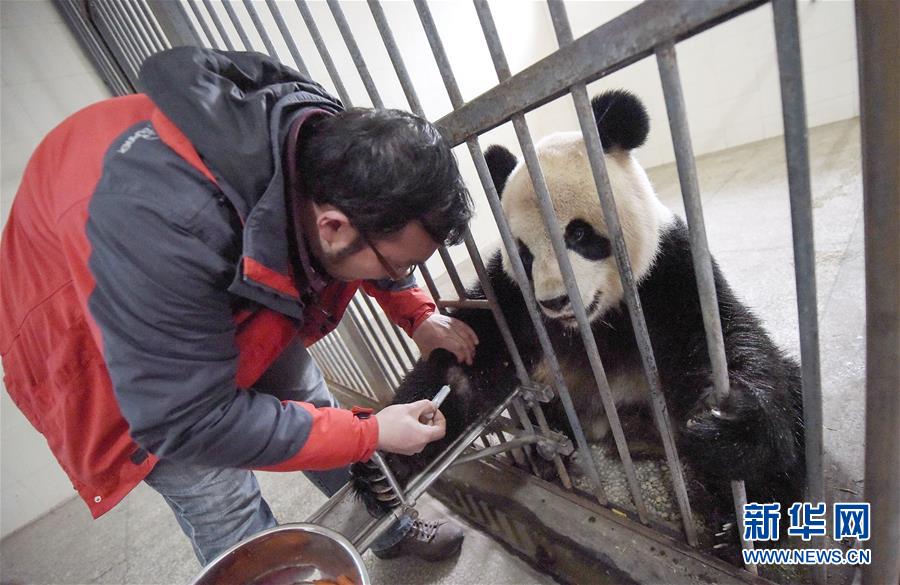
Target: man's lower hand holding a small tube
{"points": [[400, 429]]}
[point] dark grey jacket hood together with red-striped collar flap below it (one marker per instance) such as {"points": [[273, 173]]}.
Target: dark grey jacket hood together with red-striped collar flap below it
{"points": [[236, 109]]}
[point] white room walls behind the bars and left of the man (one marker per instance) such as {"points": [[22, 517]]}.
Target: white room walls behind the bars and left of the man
{"points": [[729, 75]]}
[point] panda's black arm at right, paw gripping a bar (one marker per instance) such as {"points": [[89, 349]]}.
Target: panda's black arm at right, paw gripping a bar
{"points": [[756, 432]]}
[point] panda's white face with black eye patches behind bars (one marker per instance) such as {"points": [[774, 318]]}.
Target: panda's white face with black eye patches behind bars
{"points": [[568, 174]]}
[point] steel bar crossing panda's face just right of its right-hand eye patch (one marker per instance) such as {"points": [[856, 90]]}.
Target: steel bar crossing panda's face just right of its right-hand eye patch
{"points": [[632, 299]]}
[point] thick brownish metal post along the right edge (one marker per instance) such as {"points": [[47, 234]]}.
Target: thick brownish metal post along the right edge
{"points": [[878, 38]]}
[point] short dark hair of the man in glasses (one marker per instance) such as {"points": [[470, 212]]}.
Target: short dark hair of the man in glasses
{"points": [[383, 169]]}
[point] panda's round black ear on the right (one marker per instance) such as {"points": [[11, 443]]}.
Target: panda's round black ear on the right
{"points": [[621, 118]]}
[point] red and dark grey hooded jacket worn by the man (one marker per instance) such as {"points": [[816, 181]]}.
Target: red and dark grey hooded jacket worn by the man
{"points": [[147, 281]]}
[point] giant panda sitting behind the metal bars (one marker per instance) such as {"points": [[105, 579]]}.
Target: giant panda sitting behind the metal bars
{"points": [[755, 435]]}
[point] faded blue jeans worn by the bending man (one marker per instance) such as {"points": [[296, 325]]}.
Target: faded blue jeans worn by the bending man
{"points": [[219, 507]]}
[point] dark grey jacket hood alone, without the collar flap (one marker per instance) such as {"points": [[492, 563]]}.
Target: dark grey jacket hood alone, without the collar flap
{"points": [[235, 108]]}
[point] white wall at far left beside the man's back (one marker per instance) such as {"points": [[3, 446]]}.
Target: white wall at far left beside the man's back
{"points": [[43, 79]]}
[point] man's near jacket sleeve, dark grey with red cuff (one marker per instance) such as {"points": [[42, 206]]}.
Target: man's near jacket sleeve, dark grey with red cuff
{"points": [[164, 318]]}
